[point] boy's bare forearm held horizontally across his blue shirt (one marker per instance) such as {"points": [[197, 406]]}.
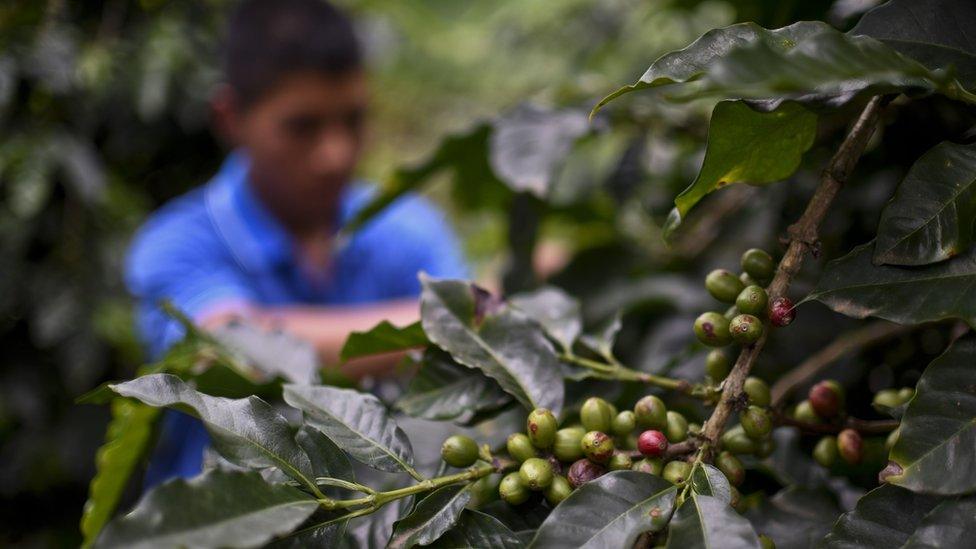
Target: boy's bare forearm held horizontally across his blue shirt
{"points": [[327, 327]]}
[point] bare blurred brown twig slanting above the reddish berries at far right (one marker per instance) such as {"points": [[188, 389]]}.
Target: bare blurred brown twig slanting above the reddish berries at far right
{"points": [[850, 342]]}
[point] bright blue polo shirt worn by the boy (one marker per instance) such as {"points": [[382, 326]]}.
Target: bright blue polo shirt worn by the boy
{"points": [[217, 248]]}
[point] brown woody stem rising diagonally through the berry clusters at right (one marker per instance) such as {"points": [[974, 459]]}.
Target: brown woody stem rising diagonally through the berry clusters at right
{"points": [[802, 239]]}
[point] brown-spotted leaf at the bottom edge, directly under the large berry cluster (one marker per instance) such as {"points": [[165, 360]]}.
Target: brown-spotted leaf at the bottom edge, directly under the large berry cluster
{"points": [[610, 511]]}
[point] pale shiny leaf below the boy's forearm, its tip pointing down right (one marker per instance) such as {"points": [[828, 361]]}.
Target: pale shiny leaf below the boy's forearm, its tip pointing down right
{"points": [[357, 422]]}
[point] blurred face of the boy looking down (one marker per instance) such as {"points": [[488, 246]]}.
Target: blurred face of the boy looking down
{"points": [[304, 139]]}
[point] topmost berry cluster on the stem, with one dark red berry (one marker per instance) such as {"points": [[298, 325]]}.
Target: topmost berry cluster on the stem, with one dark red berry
{"points": [[742, 323]]}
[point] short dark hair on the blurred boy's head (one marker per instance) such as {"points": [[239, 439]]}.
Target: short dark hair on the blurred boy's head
{"points": [[270, 39]]}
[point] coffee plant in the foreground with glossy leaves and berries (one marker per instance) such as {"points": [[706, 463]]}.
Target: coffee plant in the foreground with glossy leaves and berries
{"points": [[551, 430]]}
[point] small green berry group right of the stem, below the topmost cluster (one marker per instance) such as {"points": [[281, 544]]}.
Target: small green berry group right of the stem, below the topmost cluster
{"points": [[751, 436]]}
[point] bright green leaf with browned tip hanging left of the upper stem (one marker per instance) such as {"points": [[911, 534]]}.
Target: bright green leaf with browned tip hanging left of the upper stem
{"points": [[746, 146]]}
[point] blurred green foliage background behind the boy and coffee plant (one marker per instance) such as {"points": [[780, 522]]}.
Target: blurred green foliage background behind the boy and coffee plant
{"points": [[104, 116]]}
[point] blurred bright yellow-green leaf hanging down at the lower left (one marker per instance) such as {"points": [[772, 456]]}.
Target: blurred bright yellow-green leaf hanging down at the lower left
{"points": [[126, 439]]}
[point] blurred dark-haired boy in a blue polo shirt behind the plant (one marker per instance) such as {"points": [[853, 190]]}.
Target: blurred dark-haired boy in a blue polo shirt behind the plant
{"points": [[257, 240]]}
